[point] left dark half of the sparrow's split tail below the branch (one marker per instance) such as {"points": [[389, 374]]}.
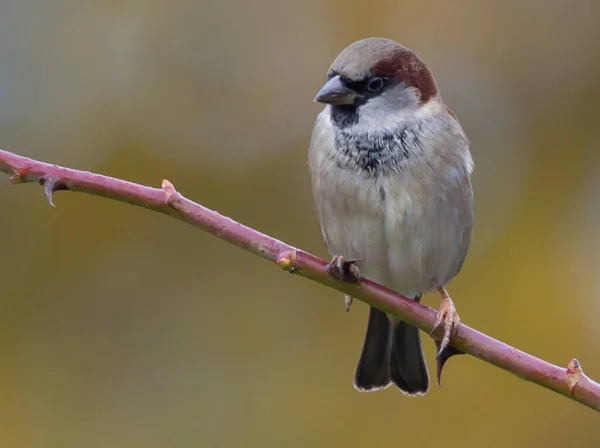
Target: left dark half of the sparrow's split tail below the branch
{"points": [[373, 369]]}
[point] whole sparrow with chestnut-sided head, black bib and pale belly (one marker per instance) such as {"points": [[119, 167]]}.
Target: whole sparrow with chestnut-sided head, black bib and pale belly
{"points": [[391, 178]]}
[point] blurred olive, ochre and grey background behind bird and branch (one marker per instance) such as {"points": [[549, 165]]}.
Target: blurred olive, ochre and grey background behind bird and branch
{"points": [[121, 327]]}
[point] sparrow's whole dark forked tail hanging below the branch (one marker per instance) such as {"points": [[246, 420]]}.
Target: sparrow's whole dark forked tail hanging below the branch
{"points": [[391, 353]]}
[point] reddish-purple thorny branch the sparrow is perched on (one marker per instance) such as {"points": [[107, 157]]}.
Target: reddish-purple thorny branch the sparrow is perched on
{"points": [[570, 382]]}
